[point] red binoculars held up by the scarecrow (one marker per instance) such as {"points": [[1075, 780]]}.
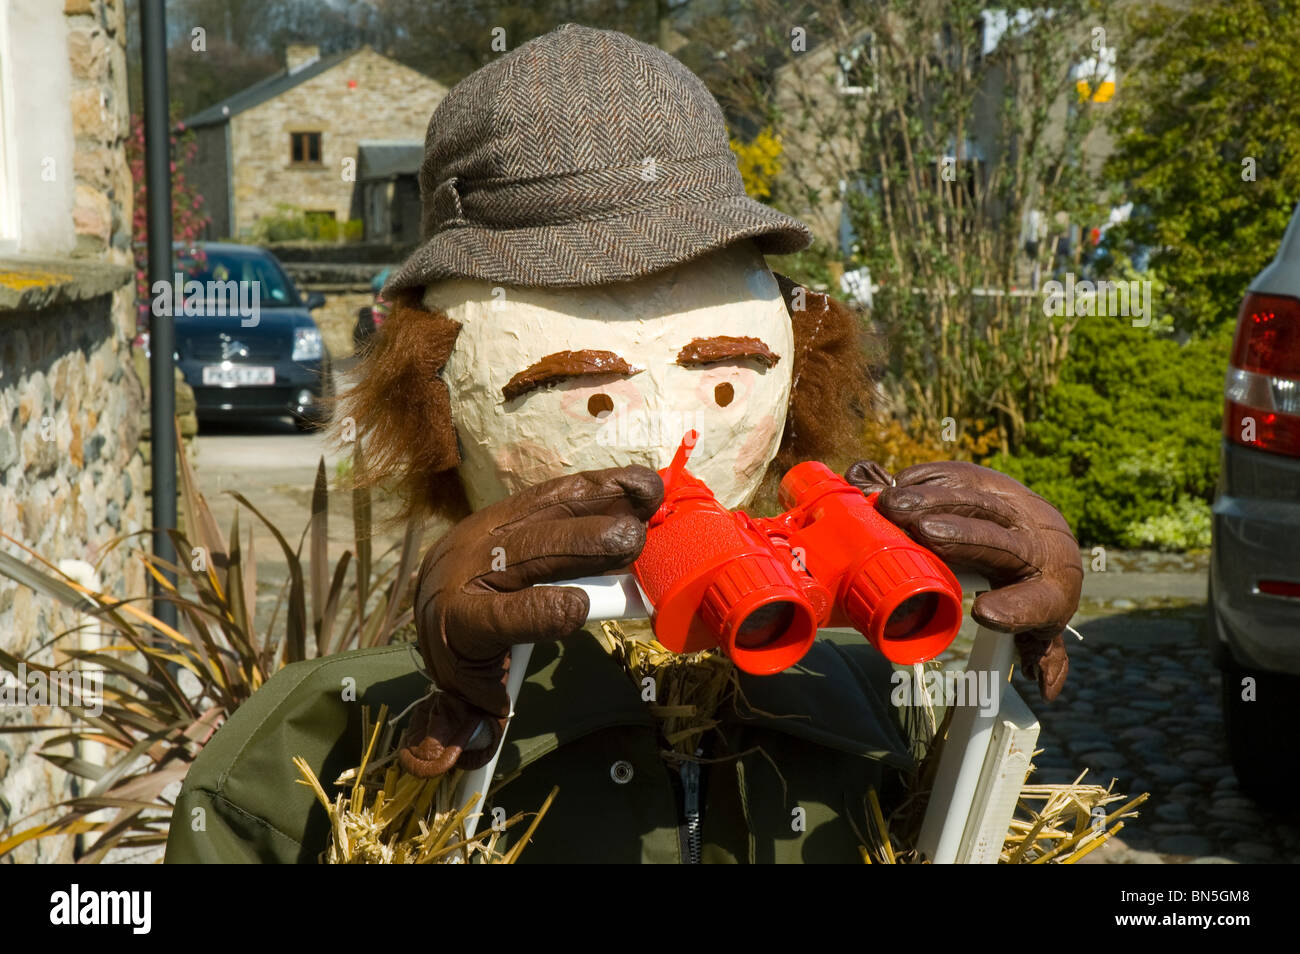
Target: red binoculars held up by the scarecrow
{"points": [[761, 588]]}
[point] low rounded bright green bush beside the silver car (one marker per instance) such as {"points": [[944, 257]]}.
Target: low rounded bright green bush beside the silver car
{"points": [[1128, 443]]}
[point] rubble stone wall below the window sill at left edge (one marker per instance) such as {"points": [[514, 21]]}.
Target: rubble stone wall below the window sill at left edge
{"points": [[71, 482]]}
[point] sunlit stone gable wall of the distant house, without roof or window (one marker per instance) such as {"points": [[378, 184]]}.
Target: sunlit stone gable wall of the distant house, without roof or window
{"points": [[365, 97]]}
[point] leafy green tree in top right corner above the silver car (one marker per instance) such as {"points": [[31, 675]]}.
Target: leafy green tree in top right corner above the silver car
{"points": [[1207, 133]]}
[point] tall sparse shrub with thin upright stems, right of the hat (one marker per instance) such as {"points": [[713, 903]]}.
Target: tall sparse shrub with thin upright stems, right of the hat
{"points": [[938, 146]]}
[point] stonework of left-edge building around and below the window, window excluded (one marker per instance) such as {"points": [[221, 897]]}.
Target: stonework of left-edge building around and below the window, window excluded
{"points": [[71, 469]]}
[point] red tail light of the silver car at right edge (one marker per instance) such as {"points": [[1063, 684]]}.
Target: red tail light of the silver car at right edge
{"points": [[1263, 388]]}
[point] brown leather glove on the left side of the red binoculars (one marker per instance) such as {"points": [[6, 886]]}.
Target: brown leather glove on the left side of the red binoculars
{"points": [[476, 599]]}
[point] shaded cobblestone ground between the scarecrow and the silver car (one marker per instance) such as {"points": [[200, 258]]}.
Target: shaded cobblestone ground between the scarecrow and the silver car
{"points": [[1142, 705]]}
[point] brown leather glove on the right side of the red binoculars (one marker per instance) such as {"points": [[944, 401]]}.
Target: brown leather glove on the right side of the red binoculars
{"points": [[985, 522]]}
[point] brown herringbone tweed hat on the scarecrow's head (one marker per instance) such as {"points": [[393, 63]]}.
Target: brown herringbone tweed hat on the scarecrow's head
{"points": [[582, 158]]}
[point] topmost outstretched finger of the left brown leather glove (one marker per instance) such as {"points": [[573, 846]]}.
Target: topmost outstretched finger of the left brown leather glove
{"points": [[621, 491]]}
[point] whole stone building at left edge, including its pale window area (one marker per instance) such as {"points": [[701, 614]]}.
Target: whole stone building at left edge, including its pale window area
{"points": [[71, 470]]}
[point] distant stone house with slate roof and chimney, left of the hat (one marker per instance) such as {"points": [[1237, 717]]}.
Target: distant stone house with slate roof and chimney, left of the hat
{"points": [[296, 138]]}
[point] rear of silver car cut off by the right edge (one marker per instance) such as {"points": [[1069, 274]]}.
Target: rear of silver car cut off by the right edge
{"points": [[1255, 562]]}
